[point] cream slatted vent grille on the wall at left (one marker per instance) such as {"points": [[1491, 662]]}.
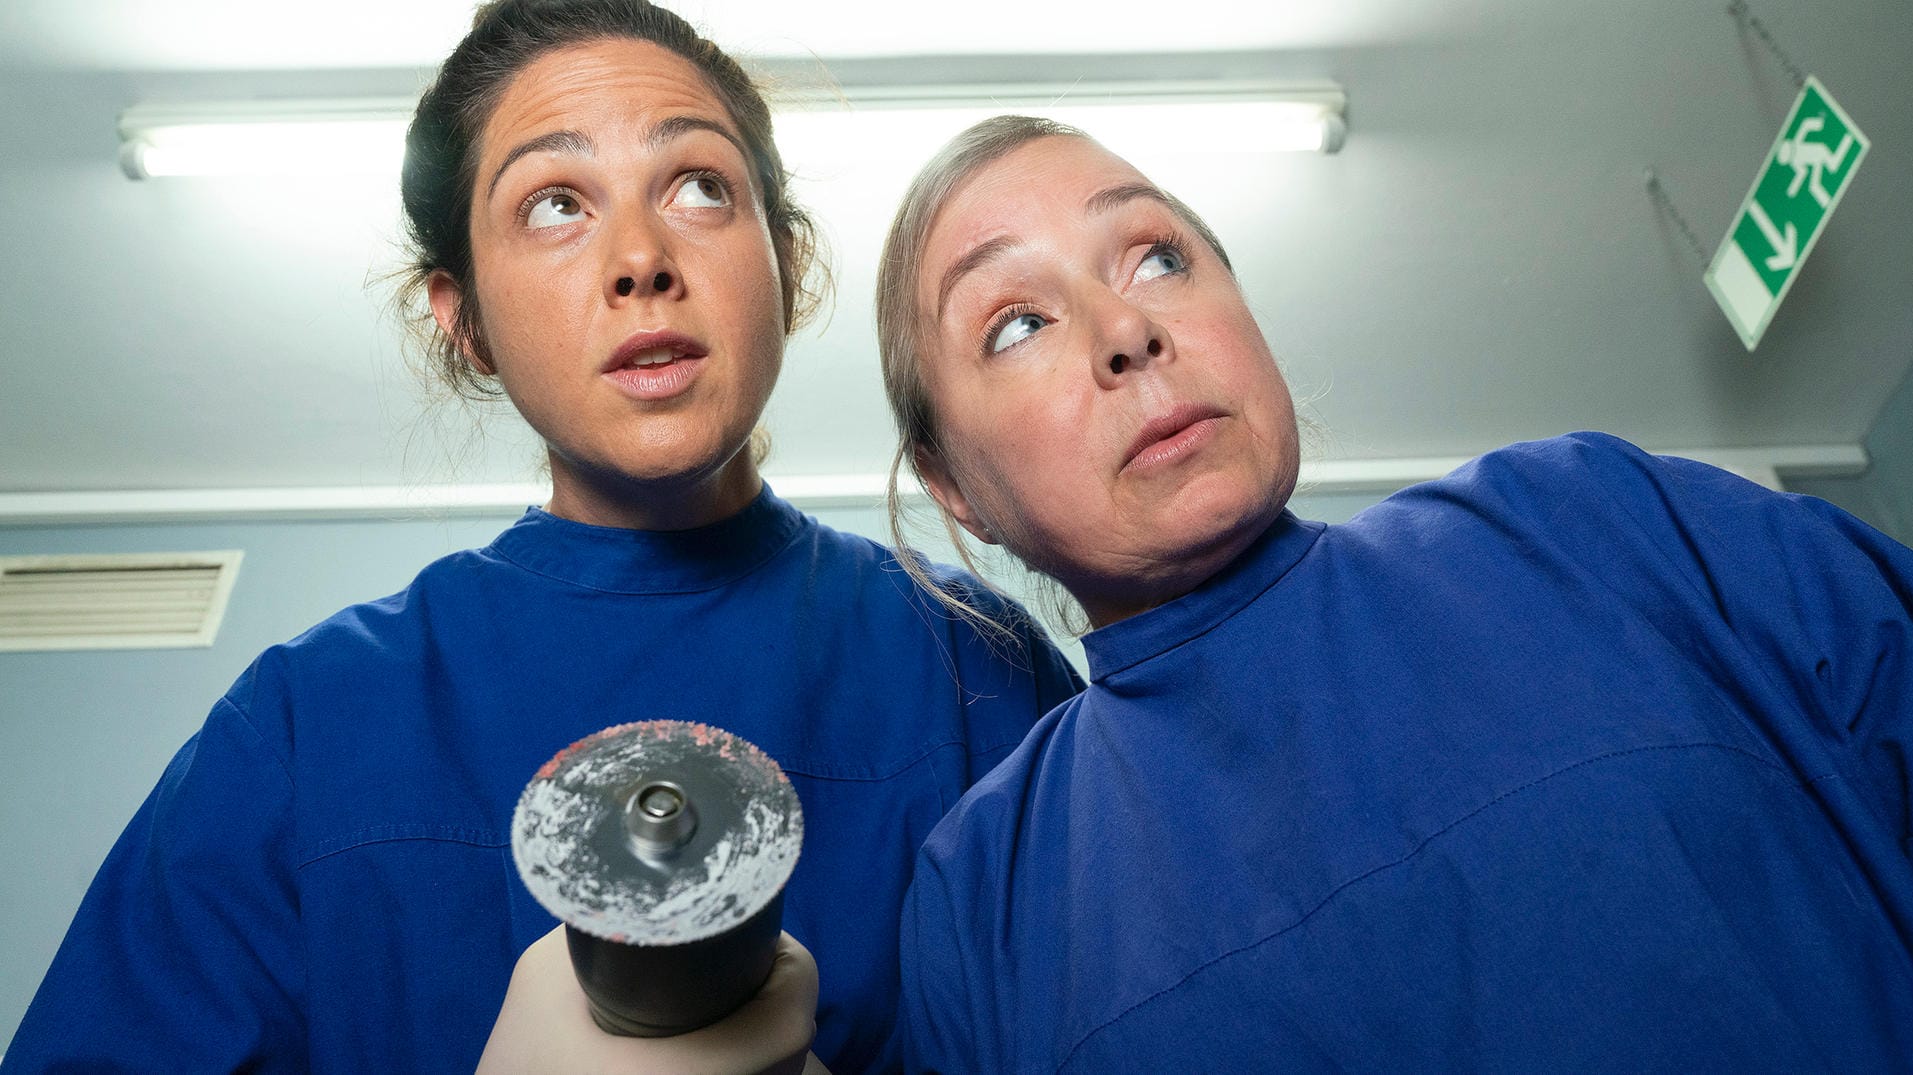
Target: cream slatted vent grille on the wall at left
{"points": [[114, 602]]}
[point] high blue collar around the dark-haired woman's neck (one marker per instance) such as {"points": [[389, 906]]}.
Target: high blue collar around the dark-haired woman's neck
{"points": [[651, 561]]}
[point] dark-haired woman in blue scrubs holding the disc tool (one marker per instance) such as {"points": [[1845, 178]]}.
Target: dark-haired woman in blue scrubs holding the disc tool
{"points": [[322, 879]]}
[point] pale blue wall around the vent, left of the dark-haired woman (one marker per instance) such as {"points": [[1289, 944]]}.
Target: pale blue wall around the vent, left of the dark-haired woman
{"points": [[85, 735]]}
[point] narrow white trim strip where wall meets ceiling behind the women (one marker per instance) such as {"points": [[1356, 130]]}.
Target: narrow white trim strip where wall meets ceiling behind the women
{"points": [[806, 491]]}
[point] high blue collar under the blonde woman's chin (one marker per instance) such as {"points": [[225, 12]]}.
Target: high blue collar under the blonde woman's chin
{"points": [[1164, 628]]}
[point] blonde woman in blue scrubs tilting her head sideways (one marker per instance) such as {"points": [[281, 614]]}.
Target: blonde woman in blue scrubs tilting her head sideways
{"points": [[1579, 758]]}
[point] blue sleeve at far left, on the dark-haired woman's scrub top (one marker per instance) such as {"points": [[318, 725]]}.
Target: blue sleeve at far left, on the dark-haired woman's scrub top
{"points": [[185, 954]]}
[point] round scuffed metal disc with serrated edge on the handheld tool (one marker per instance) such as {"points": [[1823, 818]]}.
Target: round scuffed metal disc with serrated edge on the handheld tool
{"points": [[657, 833]]}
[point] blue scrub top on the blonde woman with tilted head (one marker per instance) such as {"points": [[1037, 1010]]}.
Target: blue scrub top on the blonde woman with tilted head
{"points": [[1573, 760]]}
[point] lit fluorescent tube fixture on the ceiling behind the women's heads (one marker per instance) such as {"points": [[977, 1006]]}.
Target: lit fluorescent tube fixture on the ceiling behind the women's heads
{"points": [[343, 137]]}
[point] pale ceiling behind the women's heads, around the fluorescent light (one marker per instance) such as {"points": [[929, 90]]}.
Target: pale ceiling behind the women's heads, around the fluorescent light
{"points": [[1480, 265]]}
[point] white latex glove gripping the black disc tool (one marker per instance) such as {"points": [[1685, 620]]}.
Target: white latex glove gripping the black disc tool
{"points": [[546, 1026]]}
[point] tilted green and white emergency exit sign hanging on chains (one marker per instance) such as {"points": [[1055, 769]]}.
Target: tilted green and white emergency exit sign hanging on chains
{"points": [[1809, 169]]}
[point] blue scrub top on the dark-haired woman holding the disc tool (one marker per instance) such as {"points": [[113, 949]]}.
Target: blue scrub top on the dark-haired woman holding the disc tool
{"points": [[324, 879]]}
